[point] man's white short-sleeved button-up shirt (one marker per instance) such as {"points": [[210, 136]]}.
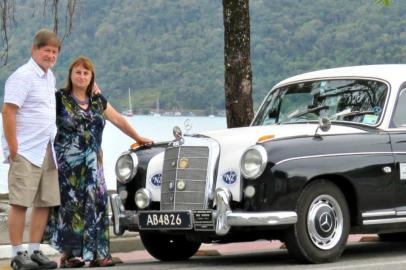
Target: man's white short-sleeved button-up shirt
{"points": [[33, 91]]}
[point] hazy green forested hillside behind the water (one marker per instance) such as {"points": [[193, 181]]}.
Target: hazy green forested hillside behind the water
{"points": [[174, 49]]}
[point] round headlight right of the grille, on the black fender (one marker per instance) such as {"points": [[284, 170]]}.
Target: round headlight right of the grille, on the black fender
{"points": [[253, 162]]}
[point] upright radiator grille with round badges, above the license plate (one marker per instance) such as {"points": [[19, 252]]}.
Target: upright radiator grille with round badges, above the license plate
{"points": [[184, 178]]}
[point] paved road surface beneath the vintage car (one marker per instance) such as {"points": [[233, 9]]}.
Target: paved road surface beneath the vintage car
{"points": [[358, 256]]}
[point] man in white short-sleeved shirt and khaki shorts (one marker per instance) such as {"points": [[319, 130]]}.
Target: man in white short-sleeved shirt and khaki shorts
{"points": [[29, 130]]}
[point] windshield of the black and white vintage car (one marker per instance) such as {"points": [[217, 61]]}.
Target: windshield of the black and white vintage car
{"points": [[357, 101]]}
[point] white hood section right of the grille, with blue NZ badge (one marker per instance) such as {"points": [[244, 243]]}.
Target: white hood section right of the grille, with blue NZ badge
{"points": [[233, 142]]}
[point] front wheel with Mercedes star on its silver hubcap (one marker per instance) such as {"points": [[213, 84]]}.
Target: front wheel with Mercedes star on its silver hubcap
{"points": [[322, 229]]}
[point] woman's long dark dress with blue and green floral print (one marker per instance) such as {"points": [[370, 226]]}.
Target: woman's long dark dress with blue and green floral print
{"points": [[80, 225]]}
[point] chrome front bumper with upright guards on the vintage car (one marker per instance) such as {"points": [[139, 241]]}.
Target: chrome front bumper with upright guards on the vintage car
{"points": [[224, 217]]}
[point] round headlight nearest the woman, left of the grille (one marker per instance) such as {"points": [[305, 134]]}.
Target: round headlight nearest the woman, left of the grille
{"points": [[126, 167]]}
